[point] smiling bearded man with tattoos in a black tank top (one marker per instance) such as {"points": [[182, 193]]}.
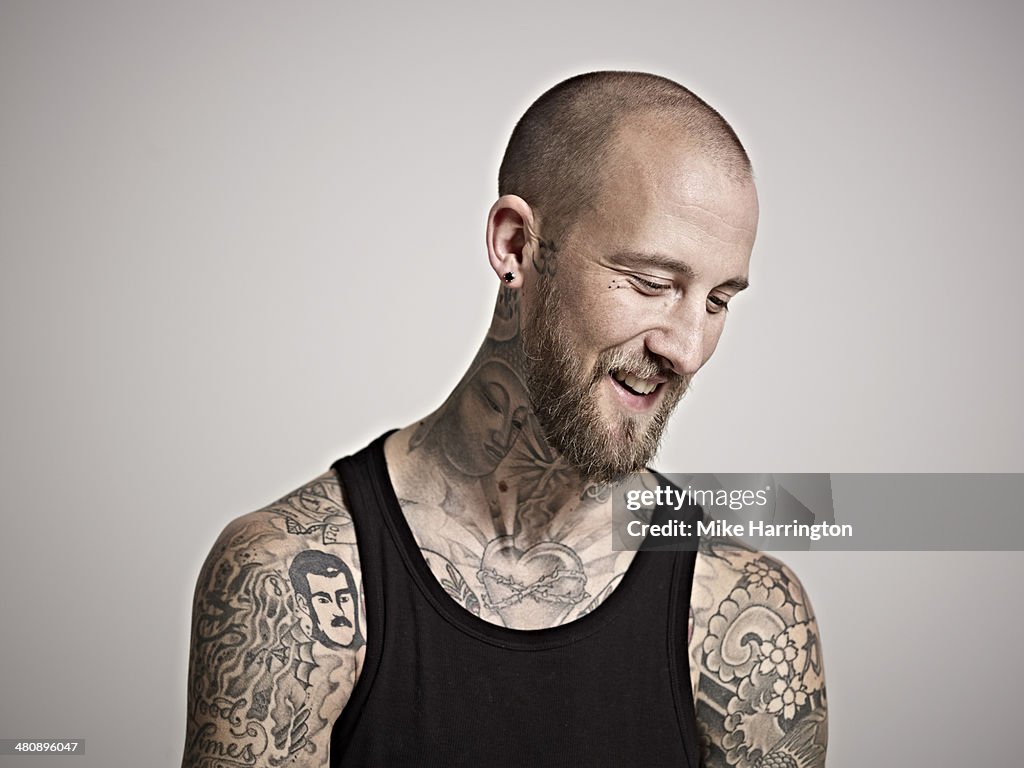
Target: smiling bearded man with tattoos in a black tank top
{"points": [[502, 627]]}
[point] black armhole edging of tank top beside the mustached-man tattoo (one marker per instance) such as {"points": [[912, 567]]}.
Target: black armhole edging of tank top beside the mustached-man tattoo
{"points": [[358, 490]]}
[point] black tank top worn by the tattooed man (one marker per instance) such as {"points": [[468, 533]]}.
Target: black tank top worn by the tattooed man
{"points": [[443, 688]]}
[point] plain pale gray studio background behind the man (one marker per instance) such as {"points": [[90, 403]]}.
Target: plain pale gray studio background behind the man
{"points": [[240, 240]]}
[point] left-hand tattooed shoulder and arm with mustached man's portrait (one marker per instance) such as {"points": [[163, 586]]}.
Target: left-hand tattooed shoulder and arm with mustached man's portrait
{"points": [[278, 635]]}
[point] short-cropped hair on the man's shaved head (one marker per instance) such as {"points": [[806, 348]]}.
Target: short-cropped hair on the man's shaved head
{"points": [[561, 151]]}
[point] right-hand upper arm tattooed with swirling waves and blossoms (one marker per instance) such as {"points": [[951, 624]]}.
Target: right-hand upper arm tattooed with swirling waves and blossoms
{"points": [[756, 663]]}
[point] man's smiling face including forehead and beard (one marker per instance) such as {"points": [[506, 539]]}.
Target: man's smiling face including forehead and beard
{"points": [[637, 304]]}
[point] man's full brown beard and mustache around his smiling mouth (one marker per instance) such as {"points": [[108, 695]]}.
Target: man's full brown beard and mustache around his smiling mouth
{"points": [[566, 398]]}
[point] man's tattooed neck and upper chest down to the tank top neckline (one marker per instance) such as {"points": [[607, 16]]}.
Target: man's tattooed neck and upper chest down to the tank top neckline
{"points": [[511, 531]]}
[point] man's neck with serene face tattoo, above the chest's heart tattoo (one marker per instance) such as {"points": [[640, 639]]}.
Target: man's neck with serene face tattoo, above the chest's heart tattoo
{"points": [[483, 455]]}
